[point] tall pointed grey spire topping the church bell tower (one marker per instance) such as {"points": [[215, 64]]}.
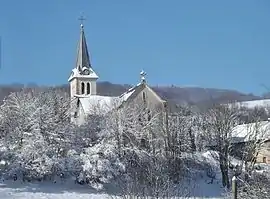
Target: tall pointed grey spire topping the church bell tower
{"points": [[83, 60]]}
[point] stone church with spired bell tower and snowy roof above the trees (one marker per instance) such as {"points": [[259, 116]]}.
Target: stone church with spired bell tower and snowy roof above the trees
{"points": [[84, 95]]}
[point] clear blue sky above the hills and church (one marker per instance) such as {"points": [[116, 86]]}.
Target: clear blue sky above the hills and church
{"points": [[220, 44]]}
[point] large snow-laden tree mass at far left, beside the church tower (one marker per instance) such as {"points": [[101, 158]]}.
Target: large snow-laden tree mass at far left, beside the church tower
{"points": [[36, 131]]}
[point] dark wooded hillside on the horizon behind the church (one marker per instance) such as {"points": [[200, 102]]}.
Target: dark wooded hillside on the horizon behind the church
{"points": [[174, 94]]}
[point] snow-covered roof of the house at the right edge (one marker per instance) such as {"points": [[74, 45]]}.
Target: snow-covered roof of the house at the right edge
{"points": [[251, 131]]}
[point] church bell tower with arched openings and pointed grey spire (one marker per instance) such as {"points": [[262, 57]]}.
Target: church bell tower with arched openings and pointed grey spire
{"points": [[83, 78]]}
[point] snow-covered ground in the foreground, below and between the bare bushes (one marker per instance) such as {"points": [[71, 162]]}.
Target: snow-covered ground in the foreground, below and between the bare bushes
{"points": [[199, 187]]}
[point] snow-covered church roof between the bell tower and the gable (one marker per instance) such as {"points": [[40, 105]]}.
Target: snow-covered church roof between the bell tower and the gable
{"points": [[97, 104]]}
